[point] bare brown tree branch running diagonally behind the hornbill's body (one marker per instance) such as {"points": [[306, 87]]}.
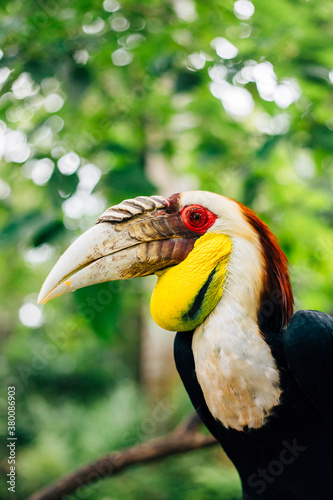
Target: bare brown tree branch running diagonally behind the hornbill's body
{"points": [[185, 437]]}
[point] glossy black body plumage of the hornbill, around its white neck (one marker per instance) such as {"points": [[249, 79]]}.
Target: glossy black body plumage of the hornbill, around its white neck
{"points": [[291, 456]]}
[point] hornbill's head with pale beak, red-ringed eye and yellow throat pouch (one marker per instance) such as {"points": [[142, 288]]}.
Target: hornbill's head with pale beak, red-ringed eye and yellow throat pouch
{"points": [[201, 245]]}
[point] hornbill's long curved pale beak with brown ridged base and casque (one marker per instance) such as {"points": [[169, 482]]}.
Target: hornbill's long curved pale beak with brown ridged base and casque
{"points": [[136, 238]]}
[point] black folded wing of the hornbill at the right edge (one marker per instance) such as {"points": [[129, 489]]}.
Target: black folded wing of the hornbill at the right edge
{"points": [[309, 353]]}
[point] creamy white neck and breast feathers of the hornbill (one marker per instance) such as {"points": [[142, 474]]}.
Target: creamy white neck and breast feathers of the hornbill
{"points": [[234, 365]]}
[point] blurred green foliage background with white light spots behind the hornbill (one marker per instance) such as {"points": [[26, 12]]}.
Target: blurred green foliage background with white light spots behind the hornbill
{"points": [[102, 101]]}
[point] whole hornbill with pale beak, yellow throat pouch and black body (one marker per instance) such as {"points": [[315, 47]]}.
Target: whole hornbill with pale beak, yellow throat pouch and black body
{"points": [[259, 377]]}
